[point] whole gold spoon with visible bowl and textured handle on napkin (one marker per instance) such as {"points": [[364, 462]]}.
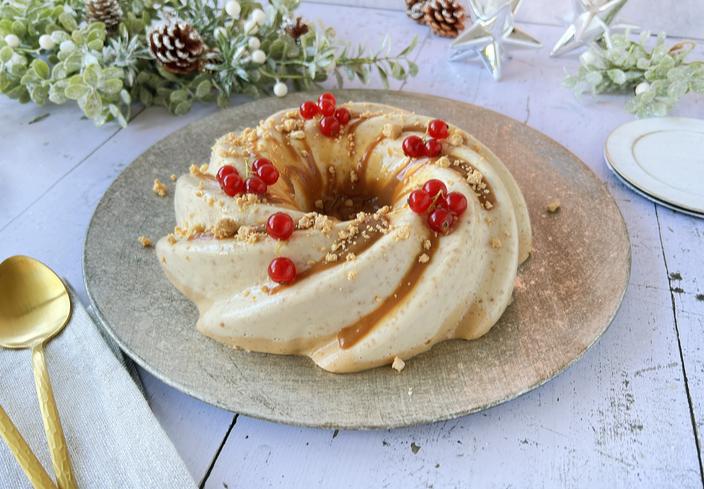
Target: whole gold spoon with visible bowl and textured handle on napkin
{"points": [[35, 307]]}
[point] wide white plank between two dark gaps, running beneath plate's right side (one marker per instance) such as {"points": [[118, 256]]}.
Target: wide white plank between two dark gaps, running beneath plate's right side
{"points": [[618, 418]]}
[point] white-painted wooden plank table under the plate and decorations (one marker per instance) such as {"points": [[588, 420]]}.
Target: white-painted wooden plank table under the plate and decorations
{"points": [[629, 414]]}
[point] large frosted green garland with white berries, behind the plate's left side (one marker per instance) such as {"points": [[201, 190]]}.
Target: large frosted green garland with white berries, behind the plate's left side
{"points": [[49, 52]]}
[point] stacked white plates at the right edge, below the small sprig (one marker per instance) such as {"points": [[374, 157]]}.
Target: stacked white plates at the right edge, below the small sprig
{"points": [[662, 159]]}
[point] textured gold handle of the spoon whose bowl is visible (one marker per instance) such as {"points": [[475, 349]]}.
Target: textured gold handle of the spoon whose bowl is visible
{"points": [[52, 424]]}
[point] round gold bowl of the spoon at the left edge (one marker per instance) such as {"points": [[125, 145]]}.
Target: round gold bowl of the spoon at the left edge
{"points": [[34, 303]]}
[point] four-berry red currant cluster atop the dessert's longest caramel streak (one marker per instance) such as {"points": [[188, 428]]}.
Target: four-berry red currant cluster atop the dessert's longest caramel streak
{"points": [[443, 208]]}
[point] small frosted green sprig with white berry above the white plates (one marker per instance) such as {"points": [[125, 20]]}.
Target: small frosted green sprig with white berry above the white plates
{"points": [[657, 77]]}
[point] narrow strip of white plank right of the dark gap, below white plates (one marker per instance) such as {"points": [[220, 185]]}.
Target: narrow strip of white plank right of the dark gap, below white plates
{"points": [[683, 240]]}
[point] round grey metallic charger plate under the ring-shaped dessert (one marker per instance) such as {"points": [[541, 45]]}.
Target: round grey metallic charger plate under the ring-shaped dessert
{"points": [[570, 288]]}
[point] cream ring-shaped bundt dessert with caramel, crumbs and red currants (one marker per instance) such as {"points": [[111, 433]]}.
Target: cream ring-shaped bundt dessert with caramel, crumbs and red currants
{"points": [[353, 234]]}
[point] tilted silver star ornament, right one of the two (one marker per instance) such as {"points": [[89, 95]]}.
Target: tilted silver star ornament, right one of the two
{"points": [[591, 19]]}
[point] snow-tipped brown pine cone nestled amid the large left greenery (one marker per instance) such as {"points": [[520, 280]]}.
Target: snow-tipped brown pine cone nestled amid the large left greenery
{"points": [[177, 46]]}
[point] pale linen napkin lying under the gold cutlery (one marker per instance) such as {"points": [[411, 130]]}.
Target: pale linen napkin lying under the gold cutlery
{"points": [[114, 439]]}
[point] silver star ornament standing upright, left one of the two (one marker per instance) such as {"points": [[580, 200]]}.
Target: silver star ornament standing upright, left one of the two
{"points": [[492, 32]]}
